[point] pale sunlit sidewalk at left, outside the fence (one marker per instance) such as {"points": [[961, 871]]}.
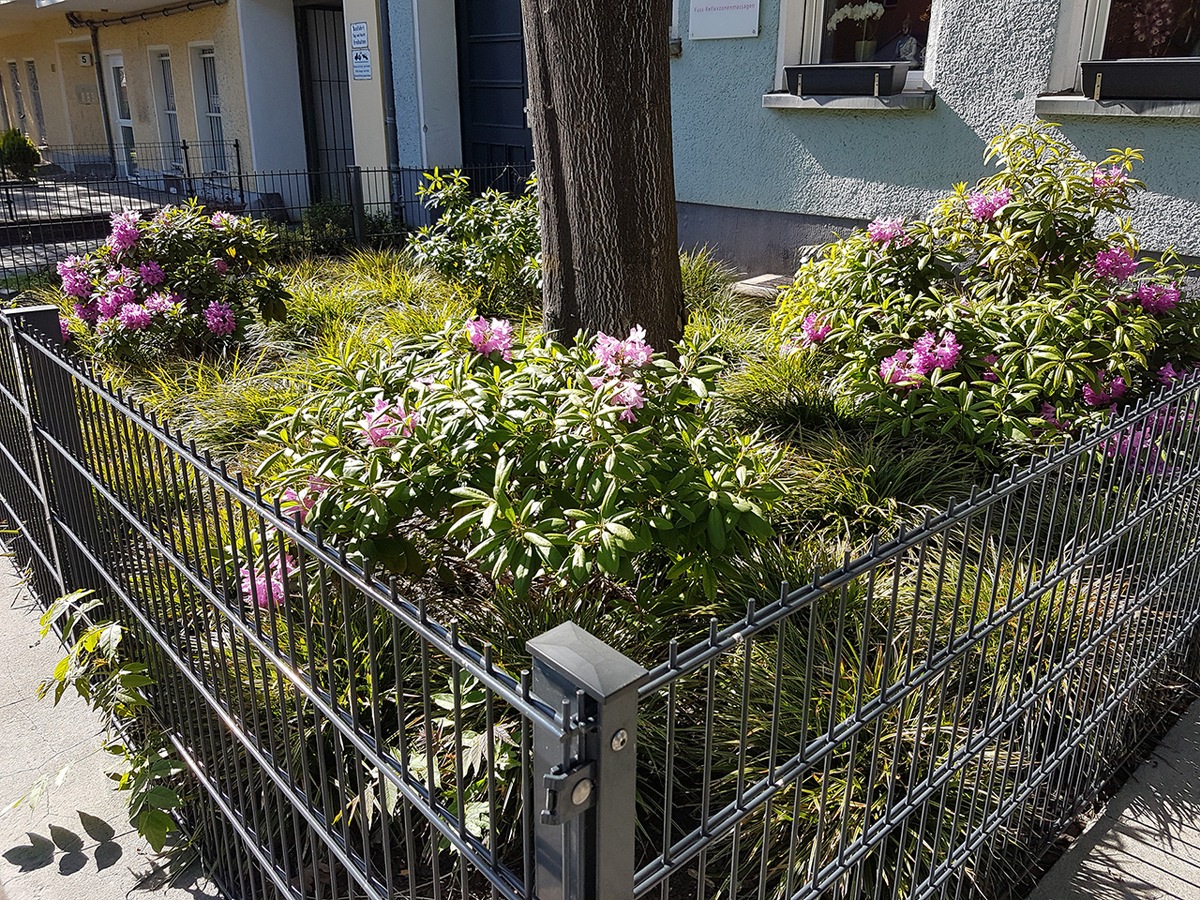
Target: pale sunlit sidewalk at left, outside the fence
{"points": [[77, 843]]}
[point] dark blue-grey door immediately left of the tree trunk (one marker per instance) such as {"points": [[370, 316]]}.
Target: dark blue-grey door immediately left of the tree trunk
{"points": [[493, 89]]}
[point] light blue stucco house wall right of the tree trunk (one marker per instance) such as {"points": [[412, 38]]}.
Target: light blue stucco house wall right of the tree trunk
{"points": [[992, 63]]}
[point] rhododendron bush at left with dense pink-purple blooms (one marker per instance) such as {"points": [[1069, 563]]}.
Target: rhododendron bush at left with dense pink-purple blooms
{"points": [[181, 281]]}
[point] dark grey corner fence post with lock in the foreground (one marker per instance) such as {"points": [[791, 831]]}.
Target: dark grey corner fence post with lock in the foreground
{"points": [[585, 836]]}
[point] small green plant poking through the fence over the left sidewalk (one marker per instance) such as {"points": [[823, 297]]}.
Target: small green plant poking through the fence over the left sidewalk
{"points": [[112, 686]]}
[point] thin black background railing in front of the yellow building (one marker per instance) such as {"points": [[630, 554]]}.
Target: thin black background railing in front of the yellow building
{"points": [[68, 212]]}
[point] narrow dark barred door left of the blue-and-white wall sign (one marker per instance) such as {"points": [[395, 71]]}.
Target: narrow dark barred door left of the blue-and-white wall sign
{"points": [[326, 77]]}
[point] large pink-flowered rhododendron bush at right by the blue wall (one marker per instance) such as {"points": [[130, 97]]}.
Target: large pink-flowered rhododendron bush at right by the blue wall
{"points": [[1021, 310]]}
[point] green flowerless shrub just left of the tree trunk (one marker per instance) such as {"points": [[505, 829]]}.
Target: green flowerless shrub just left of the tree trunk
{"points": [[489, 243]]}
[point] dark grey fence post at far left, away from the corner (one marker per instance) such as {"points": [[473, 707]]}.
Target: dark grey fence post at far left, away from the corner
{"points": [[51, 406]]}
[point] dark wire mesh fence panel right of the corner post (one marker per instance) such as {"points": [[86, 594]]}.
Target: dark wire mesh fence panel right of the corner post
{"points": [[923, 721]]}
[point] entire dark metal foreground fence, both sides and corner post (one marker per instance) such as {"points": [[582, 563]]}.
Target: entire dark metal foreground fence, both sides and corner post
{"points": [[921, 722]]}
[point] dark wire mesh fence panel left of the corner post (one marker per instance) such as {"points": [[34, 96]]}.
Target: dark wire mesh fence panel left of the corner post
{"points": [[346, 742]]}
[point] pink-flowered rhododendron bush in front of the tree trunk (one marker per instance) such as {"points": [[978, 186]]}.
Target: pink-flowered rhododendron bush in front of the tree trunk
{"points": [[541, 466]]}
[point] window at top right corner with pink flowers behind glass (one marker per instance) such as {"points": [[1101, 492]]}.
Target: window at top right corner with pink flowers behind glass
{"points": [[1123, 29]]}
